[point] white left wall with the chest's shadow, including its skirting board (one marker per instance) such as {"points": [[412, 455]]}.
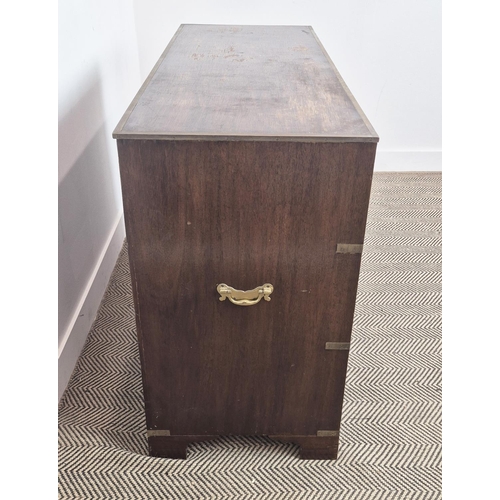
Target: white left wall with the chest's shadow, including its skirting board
{"points": [[98, 77]]}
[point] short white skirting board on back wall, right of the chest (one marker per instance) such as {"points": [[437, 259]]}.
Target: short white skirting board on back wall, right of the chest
{"points": [[408, 161]]}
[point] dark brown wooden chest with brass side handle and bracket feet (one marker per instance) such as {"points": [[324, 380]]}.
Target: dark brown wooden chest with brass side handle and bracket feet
{"points": [[246, 167]]}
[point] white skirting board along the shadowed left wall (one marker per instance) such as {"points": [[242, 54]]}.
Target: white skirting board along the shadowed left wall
{"points": [[72, 343]]}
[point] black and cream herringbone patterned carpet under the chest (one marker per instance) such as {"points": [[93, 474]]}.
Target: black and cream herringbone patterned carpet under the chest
{"points": [[390, 439]]}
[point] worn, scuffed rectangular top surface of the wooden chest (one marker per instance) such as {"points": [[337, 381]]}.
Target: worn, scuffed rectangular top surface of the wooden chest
{"points": [[245, 83]]}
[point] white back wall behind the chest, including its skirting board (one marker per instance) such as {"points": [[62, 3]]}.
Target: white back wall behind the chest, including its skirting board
{"points": [[388, 52]]}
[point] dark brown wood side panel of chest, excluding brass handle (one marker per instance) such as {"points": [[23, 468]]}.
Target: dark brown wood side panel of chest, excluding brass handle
{"points": [[200, 213]]}
